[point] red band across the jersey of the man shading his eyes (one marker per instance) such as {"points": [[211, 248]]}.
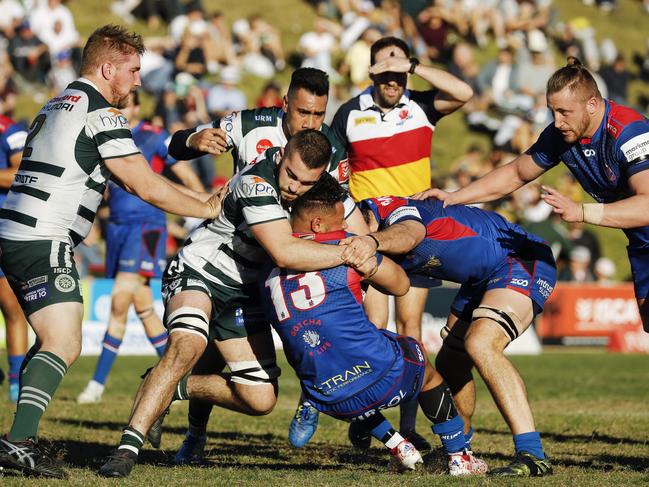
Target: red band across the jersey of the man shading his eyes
{"points": [[396, 150]]}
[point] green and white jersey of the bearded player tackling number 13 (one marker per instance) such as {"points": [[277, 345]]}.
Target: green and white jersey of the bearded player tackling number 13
{"points": [[223, 250]]}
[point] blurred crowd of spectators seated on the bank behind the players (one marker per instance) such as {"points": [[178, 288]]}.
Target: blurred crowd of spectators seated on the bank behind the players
{"points": [[194, 72]]}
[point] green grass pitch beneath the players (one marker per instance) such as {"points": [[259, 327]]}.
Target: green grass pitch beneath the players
{"points": [[591, 408]]}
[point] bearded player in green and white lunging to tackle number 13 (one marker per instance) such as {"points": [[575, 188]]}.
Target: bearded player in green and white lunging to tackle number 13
{"points": [[211, 293]]}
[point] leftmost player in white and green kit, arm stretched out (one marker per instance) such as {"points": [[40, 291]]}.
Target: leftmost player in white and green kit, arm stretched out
{"points": [[75, 142]]}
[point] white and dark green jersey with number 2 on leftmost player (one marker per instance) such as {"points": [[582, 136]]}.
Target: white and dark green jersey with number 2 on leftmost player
{"points": [[62, 176]]}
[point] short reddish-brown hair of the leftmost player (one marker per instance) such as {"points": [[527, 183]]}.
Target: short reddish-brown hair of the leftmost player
{"points": [[108, 43]]}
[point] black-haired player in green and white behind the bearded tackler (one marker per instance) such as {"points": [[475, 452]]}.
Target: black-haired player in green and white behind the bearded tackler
{"points": [[248, 134]]}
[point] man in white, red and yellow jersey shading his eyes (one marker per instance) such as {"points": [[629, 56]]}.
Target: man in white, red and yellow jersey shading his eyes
{"points": [[388, 132]]}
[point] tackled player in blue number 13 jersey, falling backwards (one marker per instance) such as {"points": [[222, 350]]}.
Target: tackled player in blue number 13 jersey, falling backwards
{"points": [[348, 368]]}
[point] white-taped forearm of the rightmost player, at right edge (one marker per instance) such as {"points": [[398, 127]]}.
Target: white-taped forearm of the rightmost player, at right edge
{"points": [[627, 213]]}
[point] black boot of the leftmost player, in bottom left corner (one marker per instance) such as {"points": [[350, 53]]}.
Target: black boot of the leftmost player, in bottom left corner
{"points": [[29, 458]]}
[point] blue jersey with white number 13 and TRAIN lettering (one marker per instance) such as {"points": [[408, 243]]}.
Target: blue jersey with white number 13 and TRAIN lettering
{"points": [[335, 350]]}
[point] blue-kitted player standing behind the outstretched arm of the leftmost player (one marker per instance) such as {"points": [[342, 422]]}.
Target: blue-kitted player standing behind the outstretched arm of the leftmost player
{"points": [[136, 238]]}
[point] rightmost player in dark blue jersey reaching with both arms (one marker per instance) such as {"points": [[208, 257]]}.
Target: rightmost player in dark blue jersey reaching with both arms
{"points": [[605, 146]]}
